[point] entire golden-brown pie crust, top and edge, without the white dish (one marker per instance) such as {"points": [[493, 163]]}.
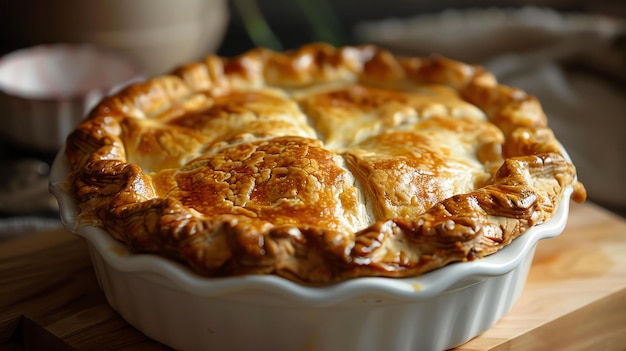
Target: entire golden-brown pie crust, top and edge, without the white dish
{"points": [[319, 164]]}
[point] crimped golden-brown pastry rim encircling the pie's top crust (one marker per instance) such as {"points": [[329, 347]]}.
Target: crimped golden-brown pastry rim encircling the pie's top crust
{"points": [[532, 149]]}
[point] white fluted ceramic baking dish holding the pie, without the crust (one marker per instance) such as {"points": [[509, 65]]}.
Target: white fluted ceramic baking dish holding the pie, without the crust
{"points": [[436, 311]]}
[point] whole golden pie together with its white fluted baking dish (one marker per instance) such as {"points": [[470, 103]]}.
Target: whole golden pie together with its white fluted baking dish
{"points": [[315, 199]]}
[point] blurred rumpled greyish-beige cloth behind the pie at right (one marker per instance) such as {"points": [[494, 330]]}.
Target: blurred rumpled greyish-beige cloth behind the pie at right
{"points": [[536, 49]]}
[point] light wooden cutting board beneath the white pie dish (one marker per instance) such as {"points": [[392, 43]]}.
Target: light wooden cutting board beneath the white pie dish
{"points": [[575, 297]]}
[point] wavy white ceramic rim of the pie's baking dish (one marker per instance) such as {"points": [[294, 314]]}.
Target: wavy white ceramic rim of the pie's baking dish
{"points": [[176, 275]]}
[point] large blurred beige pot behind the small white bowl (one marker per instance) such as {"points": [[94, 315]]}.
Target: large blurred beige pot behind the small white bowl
{"points": [[157, 34]]}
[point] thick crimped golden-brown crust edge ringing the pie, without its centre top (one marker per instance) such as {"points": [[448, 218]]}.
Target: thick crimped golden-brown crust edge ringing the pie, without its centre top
{"points": [[118, 196]]}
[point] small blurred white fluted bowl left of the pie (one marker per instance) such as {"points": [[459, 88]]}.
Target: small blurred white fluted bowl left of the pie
{"points": [[46, 90]]}
